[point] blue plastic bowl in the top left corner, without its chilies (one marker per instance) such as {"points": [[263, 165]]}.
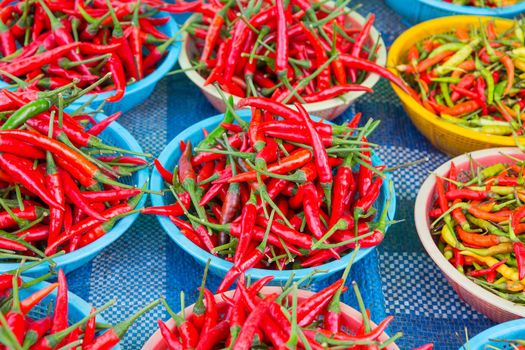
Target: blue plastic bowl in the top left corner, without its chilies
{"points": [[140, 91]]}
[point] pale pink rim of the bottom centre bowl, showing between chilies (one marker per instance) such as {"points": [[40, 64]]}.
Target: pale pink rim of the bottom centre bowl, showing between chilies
{"points": [[156, 339]]}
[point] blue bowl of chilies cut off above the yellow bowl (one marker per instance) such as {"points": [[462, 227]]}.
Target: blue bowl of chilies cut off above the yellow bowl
{"points": [[416, 11]]}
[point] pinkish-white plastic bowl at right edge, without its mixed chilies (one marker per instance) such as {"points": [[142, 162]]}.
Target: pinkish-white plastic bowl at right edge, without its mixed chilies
{"points": [[489, 304]]}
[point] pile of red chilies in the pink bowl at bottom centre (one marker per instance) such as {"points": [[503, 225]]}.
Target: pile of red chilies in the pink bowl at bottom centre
{"points": [[253, 317]]}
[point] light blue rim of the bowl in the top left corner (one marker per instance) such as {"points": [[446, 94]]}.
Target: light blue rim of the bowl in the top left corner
{"points": [[171, 27]]}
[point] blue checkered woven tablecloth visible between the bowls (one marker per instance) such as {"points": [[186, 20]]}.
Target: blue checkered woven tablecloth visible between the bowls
{"points": [[398, 279]]}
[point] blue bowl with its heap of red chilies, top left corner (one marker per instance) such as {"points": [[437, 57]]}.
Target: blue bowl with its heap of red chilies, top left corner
{"points": [[138, 47]]}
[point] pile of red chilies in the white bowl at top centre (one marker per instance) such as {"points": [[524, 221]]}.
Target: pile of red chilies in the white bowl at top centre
{"points": [[301, 50]]}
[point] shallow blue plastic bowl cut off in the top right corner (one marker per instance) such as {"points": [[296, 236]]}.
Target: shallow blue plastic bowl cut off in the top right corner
{"points": [[416, 11]]}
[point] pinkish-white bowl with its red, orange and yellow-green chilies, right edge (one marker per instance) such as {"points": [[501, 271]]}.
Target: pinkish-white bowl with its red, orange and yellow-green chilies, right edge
{"points": [[468, 217]]}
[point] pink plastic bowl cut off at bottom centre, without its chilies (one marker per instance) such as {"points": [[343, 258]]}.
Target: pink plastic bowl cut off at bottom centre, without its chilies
{"points": [[350, 315]]}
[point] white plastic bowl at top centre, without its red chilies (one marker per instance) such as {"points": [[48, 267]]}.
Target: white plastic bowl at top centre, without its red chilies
{"points": [[329, 109]]}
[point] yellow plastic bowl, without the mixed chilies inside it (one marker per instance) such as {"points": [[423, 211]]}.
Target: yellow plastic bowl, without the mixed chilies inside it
{"points": [[447, 137]]}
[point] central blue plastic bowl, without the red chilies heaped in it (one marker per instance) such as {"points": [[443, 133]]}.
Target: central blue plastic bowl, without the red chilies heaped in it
{"points": [[169, 157]]}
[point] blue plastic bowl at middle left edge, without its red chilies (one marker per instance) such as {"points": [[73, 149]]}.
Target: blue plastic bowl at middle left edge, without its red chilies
{"points": [[117, 136]]}
